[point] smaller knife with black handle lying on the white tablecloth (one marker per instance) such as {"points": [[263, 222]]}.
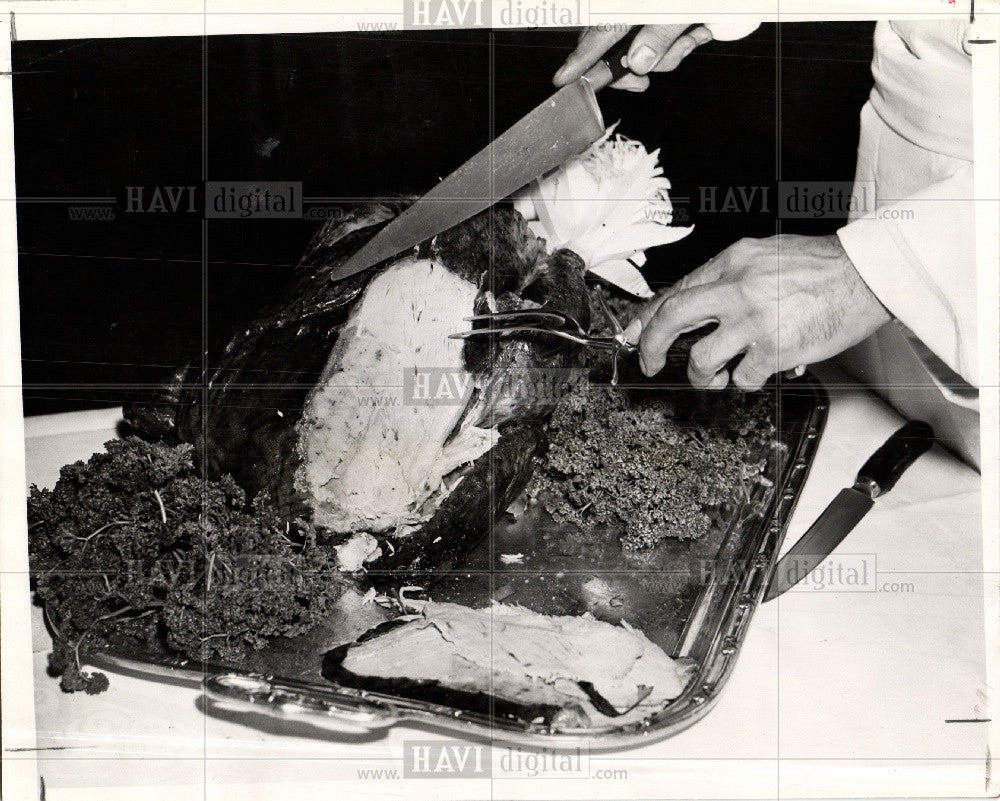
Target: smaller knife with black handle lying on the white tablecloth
{"points": [[877, 476]]}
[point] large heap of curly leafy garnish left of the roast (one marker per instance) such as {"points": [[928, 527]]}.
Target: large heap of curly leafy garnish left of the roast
{"points": [[135, 544]]}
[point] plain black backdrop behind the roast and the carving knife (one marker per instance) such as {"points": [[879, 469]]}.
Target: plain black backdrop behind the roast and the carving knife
{"points": [[110, 306]]}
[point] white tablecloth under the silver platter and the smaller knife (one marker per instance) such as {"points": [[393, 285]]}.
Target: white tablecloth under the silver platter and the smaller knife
{"points": [[836, 692]]}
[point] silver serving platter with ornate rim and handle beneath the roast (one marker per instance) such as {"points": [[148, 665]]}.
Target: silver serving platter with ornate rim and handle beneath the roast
{"points": [[708, 628]]}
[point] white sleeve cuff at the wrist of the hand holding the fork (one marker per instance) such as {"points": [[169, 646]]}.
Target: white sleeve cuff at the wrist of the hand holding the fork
{"points": [[917, 255]]}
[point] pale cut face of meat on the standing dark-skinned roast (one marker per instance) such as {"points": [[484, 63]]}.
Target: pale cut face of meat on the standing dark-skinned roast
{"points": [[372, 457]]}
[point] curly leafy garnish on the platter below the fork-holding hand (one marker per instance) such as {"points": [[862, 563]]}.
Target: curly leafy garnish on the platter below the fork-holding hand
{"points": [[653, 467]]}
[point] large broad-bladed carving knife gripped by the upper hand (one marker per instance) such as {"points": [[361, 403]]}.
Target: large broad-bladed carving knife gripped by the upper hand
{"points": [[563, 126]]}
